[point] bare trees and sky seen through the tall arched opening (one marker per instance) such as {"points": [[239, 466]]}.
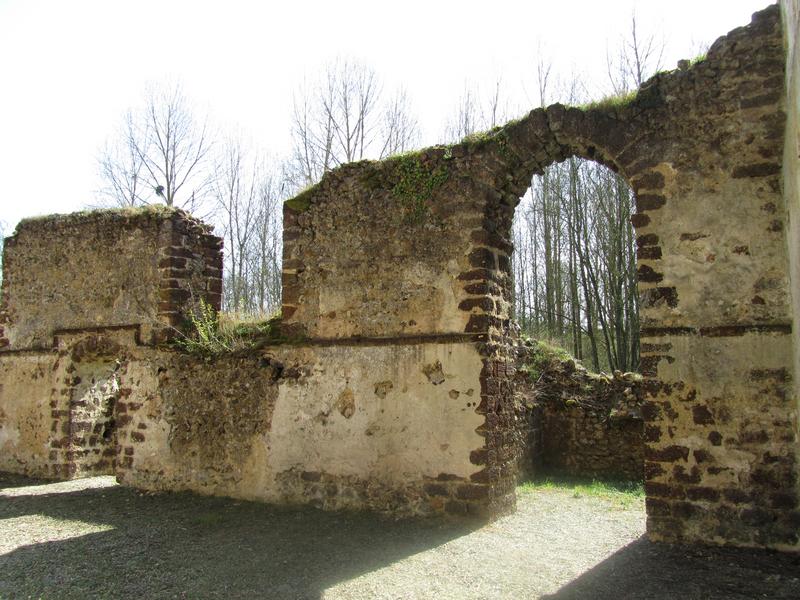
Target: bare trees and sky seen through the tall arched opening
{"points": [[574, 264]]}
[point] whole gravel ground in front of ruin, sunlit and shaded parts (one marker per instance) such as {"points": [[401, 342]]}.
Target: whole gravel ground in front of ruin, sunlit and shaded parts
{"points": [[94, 539]]}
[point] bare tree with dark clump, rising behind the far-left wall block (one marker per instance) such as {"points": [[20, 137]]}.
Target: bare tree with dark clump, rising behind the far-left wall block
{"points": [[159, 155]]}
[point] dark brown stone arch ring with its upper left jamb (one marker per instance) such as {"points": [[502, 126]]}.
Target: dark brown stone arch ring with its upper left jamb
{"points": [[518, 151]]}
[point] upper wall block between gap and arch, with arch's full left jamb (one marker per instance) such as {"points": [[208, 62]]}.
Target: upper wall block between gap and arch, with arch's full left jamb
{"points": [[399, 250]]}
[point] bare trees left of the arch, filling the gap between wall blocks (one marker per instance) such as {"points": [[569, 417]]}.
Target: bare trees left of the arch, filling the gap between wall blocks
{"points": [[163, 153]]}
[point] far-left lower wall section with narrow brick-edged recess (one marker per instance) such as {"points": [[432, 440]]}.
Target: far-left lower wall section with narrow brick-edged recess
{"points": [[57, 406]]}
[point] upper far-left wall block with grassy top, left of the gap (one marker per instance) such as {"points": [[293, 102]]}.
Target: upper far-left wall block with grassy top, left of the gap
{"points": [[121, 268]]}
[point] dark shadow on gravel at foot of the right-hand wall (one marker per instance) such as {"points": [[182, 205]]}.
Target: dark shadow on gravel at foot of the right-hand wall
{"points": [[645, 570]]}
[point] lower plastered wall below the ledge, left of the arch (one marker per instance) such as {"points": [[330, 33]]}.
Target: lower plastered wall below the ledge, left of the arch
{"points": [[389, 427]]}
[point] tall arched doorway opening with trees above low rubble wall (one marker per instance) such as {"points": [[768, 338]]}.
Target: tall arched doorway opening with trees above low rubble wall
{"points": [[576, 304]]}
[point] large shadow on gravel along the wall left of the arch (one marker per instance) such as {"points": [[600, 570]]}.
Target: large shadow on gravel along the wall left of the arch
{"points": [[182, 545]]}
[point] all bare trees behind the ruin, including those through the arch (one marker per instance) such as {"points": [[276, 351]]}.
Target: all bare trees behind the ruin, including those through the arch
{"points": [[574, 263]]}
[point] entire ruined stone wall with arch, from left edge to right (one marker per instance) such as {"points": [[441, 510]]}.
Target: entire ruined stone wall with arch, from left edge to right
{"points": [[373, 408]]}
